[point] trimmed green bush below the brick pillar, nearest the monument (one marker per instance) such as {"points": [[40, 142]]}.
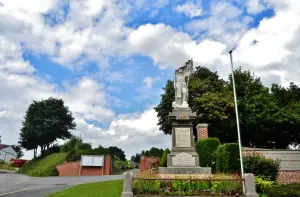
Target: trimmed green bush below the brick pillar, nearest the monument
{"points": [[206, 149]]}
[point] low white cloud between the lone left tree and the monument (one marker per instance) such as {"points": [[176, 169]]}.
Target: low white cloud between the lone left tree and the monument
{"points": [[131, 132]]}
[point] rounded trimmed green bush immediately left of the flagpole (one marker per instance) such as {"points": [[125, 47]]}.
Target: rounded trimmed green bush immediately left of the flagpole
{"points": [[227, 158]]}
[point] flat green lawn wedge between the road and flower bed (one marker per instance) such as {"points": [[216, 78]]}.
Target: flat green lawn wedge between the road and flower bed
{"points": [[101, 189]]}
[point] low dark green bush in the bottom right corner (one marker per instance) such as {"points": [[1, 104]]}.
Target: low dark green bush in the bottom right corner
{"points": [[291, 190]]}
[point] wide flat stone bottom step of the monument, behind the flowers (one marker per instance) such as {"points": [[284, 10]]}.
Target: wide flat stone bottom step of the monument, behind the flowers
{"points": [[184, 170]]}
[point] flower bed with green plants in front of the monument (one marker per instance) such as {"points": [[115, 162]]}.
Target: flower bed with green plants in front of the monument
{"points": [[146, 184]]}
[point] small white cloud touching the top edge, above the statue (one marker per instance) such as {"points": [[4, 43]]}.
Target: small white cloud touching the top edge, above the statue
{"points": [[190, 9]]}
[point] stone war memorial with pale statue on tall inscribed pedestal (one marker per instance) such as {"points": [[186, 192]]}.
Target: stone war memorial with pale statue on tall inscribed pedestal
{"points": [[183, 158]]}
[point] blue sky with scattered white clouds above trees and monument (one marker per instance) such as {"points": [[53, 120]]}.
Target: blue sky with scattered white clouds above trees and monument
{"points": [[109, 59]]}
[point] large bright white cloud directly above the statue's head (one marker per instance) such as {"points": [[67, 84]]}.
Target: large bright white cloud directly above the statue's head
{"points": [[170, 48]]}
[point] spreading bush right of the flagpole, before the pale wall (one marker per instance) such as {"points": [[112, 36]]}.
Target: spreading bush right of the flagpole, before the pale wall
{"points": [[262, 167]]}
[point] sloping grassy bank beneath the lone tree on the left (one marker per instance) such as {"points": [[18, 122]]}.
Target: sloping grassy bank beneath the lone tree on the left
{"points": [[45, 166]]}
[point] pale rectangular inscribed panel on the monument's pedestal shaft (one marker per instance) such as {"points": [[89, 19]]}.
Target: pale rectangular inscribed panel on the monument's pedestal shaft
{"points": [[182, 137]]}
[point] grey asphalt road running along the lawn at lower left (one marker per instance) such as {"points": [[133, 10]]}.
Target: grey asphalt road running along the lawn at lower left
{"points": [[18, 185]]}
